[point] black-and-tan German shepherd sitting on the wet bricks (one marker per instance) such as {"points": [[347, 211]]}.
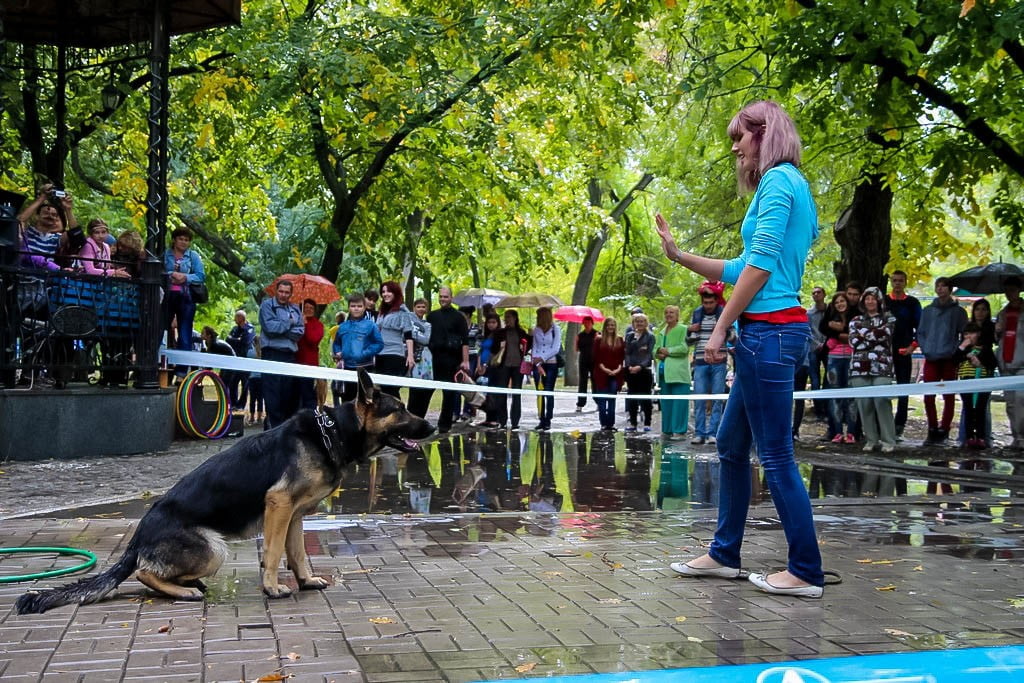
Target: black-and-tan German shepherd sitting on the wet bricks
{"points": [[270, 480]]}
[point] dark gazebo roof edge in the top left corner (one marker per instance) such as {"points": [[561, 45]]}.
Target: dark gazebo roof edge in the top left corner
{"points": [[96, 24]]}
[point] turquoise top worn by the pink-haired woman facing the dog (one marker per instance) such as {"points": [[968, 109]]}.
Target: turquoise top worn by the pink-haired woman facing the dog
{"points": [[779, 230]]}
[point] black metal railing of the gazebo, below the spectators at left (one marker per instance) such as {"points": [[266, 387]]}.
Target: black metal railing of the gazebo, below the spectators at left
{"points": [[62, 327]]}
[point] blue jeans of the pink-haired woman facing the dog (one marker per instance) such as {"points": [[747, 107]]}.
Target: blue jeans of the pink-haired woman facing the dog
{"points": [[758, 411]]}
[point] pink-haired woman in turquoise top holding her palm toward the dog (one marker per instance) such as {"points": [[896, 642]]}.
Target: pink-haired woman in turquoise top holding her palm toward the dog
{"points": [[778, 232]]}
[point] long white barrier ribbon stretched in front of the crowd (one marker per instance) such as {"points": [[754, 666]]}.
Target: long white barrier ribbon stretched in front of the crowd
{"points": [[1007, 383]]}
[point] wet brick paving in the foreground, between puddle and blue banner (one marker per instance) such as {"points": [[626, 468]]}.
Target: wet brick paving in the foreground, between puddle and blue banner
{"points": [[476, 597]]}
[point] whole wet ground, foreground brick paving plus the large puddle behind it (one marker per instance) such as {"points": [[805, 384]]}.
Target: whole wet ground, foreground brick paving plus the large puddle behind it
{"points": [[505, 556]]}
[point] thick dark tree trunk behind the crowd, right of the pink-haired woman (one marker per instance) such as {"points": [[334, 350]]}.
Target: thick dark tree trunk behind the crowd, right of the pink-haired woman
{"points": [[865, 232]]}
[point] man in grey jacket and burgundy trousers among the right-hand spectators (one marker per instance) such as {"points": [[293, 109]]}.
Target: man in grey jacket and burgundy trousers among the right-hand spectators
{"points": [[938, 334]]}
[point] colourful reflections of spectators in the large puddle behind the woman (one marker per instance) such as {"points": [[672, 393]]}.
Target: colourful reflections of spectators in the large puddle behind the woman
{"points": [[498, 472]]}
